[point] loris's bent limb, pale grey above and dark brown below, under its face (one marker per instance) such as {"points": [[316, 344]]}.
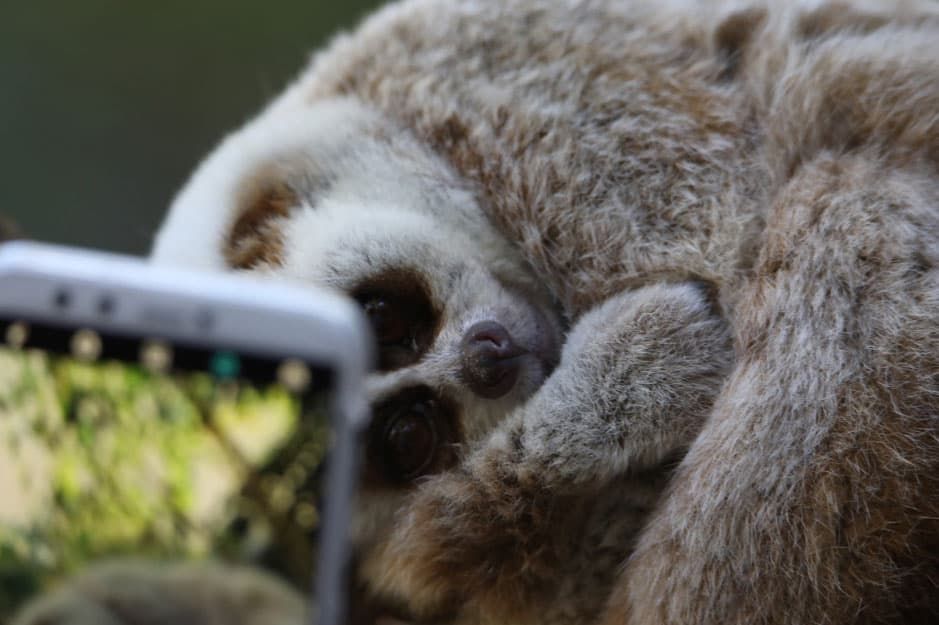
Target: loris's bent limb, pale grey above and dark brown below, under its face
{"points": [[636, 379]]}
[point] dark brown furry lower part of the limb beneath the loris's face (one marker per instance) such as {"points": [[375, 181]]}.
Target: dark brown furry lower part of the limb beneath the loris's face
{"points": [[474, 534]]}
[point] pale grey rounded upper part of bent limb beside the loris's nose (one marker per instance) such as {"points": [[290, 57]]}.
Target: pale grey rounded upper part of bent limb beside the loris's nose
{"points": [[637, 377]]}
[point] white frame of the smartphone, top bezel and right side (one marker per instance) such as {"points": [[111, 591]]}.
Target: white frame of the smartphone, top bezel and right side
{"points": [[128, 296]]}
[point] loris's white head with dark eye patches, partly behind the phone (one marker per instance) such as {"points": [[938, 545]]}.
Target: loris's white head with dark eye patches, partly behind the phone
{"points": [[332, 194]]}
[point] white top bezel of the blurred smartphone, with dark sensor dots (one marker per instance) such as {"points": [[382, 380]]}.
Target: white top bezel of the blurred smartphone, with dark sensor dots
{"points": [[128, 295]]}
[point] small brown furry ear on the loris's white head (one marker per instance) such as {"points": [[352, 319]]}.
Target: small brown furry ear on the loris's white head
{"points": [[256, 236]]}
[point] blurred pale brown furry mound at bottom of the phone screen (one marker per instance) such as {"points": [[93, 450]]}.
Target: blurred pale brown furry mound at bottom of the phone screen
{"points": [[145, 593]]}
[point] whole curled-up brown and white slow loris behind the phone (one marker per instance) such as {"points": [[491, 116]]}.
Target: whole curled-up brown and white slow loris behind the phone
{"points": [[593, 236]]}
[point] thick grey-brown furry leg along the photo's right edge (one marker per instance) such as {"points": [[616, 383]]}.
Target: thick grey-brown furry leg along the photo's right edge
{"points": [[831, 514]]}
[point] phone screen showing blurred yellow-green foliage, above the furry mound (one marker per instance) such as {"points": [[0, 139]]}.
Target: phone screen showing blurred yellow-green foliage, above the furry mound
{"points": [[115, 446]]}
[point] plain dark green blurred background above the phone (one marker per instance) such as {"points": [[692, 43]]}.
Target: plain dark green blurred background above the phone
{"points": [[107, 105]]}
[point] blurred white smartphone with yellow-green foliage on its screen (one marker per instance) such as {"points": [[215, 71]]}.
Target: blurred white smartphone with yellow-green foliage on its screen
{"points": [[152, 412]]}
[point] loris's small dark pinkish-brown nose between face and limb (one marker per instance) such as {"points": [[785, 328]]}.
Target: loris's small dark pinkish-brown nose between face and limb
{"points": [[491, 360]]}
